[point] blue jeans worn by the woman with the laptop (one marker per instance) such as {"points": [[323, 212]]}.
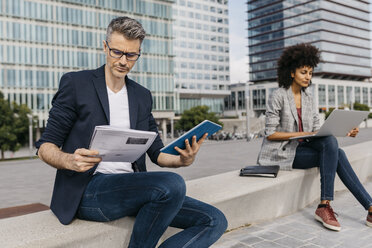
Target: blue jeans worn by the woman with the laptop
{"points": [[325, 154]]}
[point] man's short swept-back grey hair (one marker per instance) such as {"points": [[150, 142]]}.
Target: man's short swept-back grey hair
{"points": [[128, 27]]}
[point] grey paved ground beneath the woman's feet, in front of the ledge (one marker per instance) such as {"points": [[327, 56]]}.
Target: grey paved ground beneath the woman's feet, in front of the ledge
{"points": [[302, 230]]}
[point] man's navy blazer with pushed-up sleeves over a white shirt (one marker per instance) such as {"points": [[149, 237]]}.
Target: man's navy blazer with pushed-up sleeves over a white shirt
{"points": [[80, 104]]}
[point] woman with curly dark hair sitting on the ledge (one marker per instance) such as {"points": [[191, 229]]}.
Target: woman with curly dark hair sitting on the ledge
{"points": [[291, 112]]}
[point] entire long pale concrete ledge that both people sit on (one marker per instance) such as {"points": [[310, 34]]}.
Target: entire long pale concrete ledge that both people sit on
{"points": [[244, 200]]}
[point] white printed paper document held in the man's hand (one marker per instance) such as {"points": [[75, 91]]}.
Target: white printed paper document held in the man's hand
{"points": [[116, 144]]}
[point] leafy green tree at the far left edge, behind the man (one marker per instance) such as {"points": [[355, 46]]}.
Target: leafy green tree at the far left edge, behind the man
{"points": [[14, 124]]}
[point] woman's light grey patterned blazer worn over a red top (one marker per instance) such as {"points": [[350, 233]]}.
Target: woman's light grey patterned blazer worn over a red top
{"points": [[281, 116]]}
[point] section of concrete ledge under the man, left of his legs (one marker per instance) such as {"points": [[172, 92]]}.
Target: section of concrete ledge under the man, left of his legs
{"points": [[44, 230]]}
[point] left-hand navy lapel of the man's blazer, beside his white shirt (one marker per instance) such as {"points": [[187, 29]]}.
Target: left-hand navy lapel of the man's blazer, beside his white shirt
{"points": [[100, 86]]}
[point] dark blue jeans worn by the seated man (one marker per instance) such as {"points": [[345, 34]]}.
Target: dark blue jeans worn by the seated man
{"points": [[158, 200]]}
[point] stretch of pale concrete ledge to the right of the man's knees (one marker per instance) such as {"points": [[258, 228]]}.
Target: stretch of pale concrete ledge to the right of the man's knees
{"points": [[247, 200]]}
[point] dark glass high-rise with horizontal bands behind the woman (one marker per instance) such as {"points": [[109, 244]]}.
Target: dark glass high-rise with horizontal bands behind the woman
{"points": [[341, 31]]}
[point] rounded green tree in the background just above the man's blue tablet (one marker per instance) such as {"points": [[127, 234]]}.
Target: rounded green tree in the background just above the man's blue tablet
{"points": [[194, 116]]}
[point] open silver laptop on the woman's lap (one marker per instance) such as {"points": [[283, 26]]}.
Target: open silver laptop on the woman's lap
{"points": [[338, 123]]}
